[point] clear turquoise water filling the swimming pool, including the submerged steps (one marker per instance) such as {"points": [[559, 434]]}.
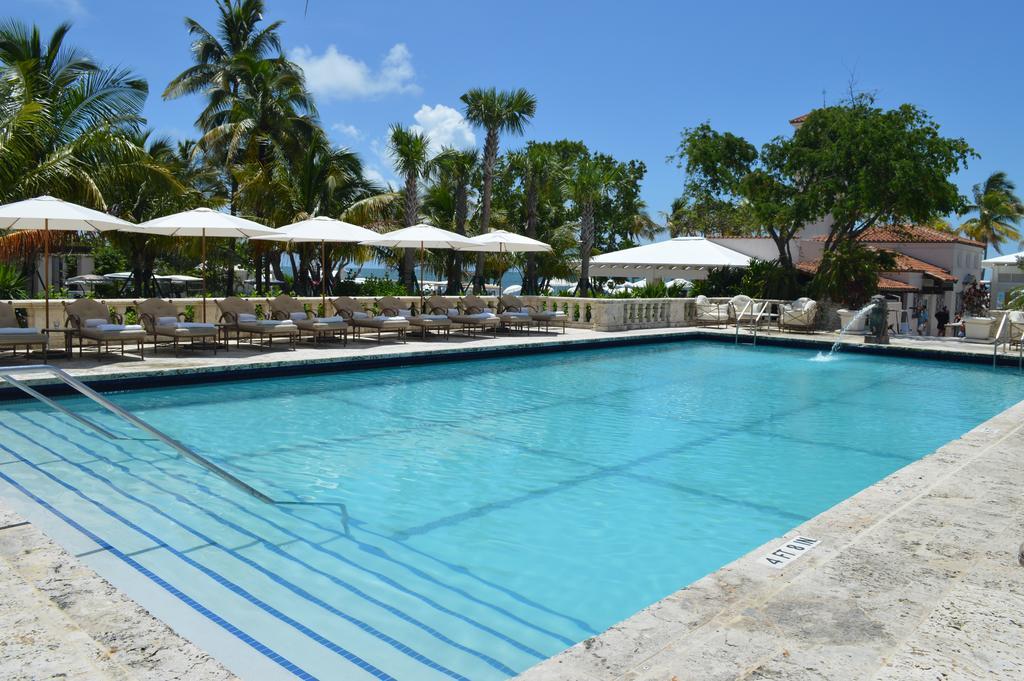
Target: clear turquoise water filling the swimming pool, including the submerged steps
{"points": [[500, 510]]}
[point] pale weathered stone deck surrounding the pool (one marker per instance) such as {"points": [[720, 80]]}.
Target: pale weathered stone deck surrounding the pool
{"points": [[915, 578]]}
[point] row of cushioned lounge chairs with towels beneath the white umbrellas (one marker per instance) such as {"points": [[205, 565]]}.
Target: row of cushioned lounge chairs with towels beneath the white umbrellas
{"points": [[91, 323]]}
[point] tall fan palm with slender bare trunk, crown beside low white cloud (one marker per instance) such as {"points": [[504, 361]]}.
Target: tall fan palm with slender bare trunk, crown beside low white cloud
{"points": [[508, 111]]}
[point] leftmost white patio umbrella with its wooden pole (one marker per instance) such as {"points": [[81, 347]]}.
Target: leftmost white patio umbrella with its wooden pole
{"points": [[50, 215]]}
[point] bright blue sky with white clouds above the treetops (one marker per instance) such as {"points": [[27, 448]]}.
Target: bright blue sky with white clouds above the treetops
{"points": [[624, 77]]}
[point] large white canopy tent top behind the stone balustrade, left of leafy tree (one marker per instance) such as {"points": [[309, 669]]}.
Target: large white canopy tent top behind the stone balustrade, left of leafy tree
{"points": [[687, 258]]}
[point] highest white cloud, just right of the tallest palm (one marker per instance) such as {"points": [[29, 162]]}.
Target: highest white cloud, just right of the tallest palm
{"points": [[336, 75]]}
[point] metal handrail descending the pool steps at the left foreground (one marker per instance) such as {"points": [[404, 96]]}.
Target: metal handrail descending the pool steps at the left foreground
{"points": [[188, 453]]}
